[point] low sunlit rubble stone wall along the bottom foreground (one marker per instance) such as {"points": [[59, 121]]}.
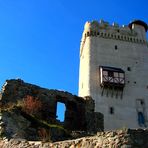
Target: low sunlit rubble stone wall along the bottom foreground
{"points": [[111, 139]]}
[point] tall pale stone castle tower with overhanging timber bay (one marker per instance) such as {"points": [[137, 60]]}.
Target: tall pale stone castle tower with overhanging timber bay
{"points": [[114, 72]]}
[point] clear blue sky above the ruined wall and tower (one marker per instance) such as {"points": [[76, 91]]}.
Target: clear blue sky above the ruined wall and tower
{"points": [[40, 39]]}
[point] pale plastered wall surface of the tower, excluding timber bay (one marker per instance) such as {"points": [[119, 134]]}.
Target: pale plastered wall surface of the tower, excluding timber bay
{"points": [[100, 51]]}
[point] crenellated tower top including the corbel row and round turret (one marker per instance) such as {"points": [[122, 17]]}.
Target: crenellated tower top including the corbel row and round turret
{"points": [[135, 32]]}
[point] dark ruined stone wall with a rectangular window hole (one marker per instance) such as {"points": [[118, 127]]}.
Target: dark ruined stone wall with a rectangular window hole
{"points": [[19, 121]]}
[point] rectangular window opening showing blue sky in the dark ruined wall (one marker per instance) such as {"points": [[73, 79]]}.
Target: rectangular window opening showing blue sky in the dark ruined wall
{"points": [[60, 113]]}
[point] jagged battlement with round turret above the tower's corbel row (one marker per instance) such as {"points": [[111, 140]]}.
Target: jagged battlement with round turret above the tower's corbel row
{"points": [[128, 30]]}
